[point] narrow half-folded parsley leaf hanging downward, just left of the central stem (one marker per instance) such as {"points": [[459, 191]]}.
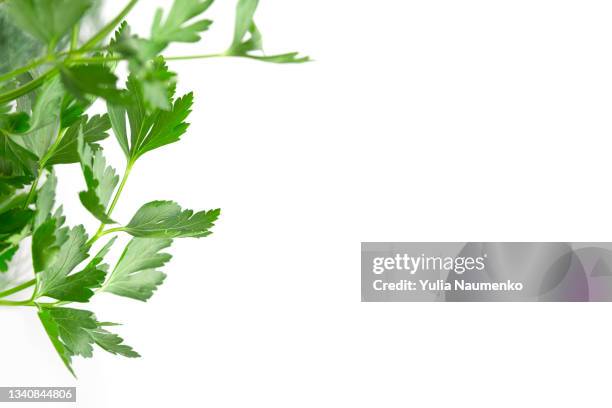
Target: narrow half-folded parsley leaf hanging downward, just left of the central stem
{"points": [[101, 181]]}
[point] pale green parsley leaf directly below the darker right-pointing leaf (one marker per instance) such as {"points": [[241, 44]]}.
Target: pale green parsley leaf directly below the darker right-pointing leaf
{"points": [[135, 275]]}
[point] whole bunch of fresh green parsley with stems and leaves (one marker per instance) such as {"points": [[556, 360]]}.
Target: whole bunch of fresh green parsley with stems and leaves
{"points": [[50, 75]]}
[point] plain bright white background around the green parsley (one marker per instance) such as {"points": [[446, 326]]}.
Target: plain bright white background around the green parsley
{"points": [[420, 120]]}
